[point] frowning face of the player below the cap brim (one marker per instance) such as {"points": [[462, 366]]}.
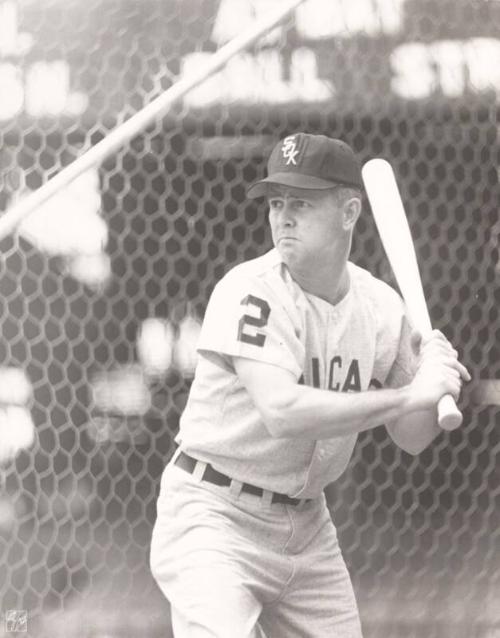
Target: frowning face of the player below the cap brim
{"points": [[305, 224]]}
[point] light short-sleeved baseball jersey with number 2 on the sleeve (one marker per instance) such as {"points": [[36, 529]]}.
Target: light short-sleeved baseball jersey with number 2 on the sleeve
{"points": [[257, 311]]}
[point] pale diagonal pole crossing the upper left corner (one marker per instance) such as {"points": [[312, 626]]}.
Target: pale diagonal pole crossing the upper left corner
{"points": [[150, 113]]}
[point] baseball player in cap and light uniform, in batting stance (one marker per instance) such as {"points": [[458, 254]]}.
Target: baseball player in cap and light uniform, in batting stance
{"points": [[291, 345]]}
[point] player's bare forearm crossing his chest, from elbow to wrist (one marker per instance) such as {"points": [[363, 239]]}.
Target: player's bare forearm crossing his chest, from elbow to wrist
{"points": [[319, 414]]}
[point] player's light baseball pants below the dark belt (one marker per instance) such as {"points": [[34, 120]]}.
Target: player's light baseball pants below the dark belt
{"points": [[233, 566]]}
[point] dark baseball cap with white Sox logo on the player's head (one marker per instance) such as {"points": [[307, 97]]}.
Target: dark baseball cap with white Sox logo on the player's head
{"points": [[309, 161]]}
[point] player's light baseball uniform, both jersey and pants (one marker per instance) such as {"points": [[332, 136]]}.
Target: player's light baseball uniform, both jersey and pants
{"points": [[244, 544]]}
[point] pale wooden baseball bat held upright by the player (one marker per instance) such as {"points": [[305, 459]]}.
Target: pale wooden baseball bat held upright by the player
{"points": [[394, 230]]}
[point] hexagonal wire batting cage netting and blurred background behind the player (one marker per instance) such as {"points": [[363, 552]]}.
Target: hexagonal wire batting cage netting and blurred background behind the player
{"points": [[104, 286]]}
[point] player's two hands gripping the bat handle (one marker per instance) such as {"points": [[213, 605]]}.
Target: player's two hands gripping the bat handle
{"points": [[439, 372]]}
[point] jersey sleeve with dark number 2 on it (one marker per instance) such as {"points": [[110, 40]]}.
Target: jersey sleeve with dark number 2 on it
{"points": [[245, 317]]}
